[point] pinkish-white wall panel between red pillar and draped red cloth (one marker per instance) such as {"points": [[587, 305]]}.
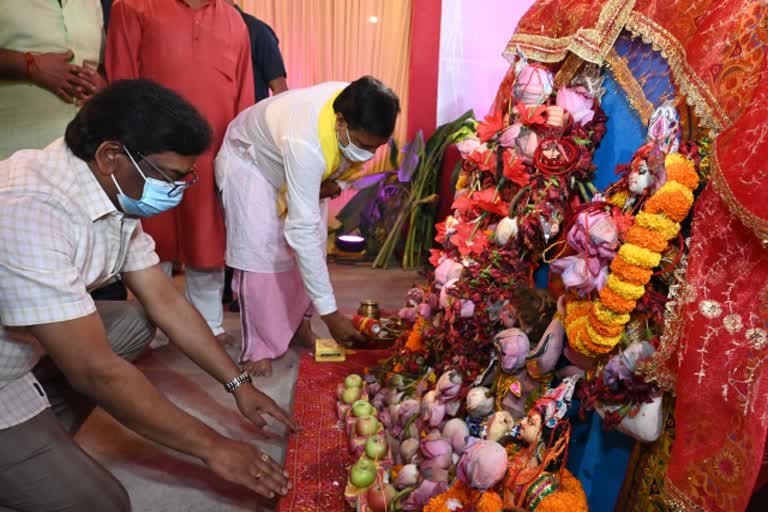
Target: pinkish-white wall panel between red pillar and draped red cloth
{"points": [[473, 34]]}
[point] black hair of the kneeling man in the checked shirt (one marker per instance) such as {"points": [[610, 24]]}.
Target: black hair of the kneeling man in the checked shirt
{"points": [[142, 115]]}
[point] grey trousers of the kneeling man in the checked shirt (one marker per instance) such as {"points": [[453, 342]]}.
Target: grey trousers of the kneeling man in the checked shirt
{"points": [[42, 469]]}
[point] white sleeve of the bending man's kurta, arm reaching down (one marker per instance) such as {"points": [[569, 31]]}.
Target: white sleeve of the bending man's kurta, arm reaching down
{"points": [[304, 224]]}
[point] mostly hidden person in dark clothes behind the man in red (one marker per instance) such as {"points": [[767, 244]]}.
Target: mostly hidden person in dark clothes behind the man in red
{"points": [[268, 74]]}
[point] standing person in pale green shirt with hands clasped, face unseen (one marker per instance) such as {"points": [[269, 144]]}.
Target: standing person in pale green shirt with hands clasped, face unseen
{"points": [[50, 52]]}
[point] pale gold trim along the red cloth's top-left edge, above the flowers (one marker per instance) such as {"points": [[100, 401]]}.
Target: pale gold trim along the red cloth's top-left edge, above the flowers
{"points": [[591, 44]]}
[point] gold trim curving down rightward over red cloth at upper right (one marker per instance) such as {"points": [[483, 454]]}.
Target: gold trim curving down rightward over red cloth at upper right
{"points": [[696, 92]]}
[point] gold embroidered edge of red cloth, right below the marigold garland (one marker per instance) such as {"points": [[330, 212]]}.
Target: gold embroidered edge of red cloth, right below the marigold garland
{"points": [[657, 368]]}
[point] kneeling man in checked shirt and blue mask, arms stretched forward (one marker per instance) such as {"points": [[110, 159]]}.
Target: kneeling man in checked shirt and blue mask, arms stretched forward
{"points": [[69, 221]]}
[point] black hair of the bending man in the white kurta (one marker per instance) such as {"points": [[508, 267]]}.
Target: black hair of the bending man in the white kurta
{"points": [[368, 105]]}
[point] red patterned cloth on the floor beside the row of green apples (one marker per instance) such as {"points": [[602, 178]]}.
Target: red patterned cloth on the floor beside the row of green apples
{"points": [[317, 458]]}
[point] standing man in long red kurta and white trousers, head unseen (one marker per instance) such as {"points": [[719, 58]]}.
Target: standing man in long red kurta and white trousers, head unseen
{"points": [[200, 49]]}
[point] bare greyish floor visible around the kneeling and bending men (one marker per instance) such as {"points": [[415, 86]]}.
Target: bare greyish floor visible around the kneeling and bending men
{"points": [[159, 480]]}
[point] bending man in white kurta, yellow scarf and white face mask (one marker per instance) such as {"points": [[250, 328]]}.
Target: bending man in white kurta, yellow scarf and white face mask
{"points": [[279, 160]]}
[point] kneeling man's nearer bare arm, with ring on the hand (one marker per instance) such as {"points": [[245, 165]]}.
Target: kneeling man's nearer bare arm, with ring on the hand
{"points": [[80, 349]]}
